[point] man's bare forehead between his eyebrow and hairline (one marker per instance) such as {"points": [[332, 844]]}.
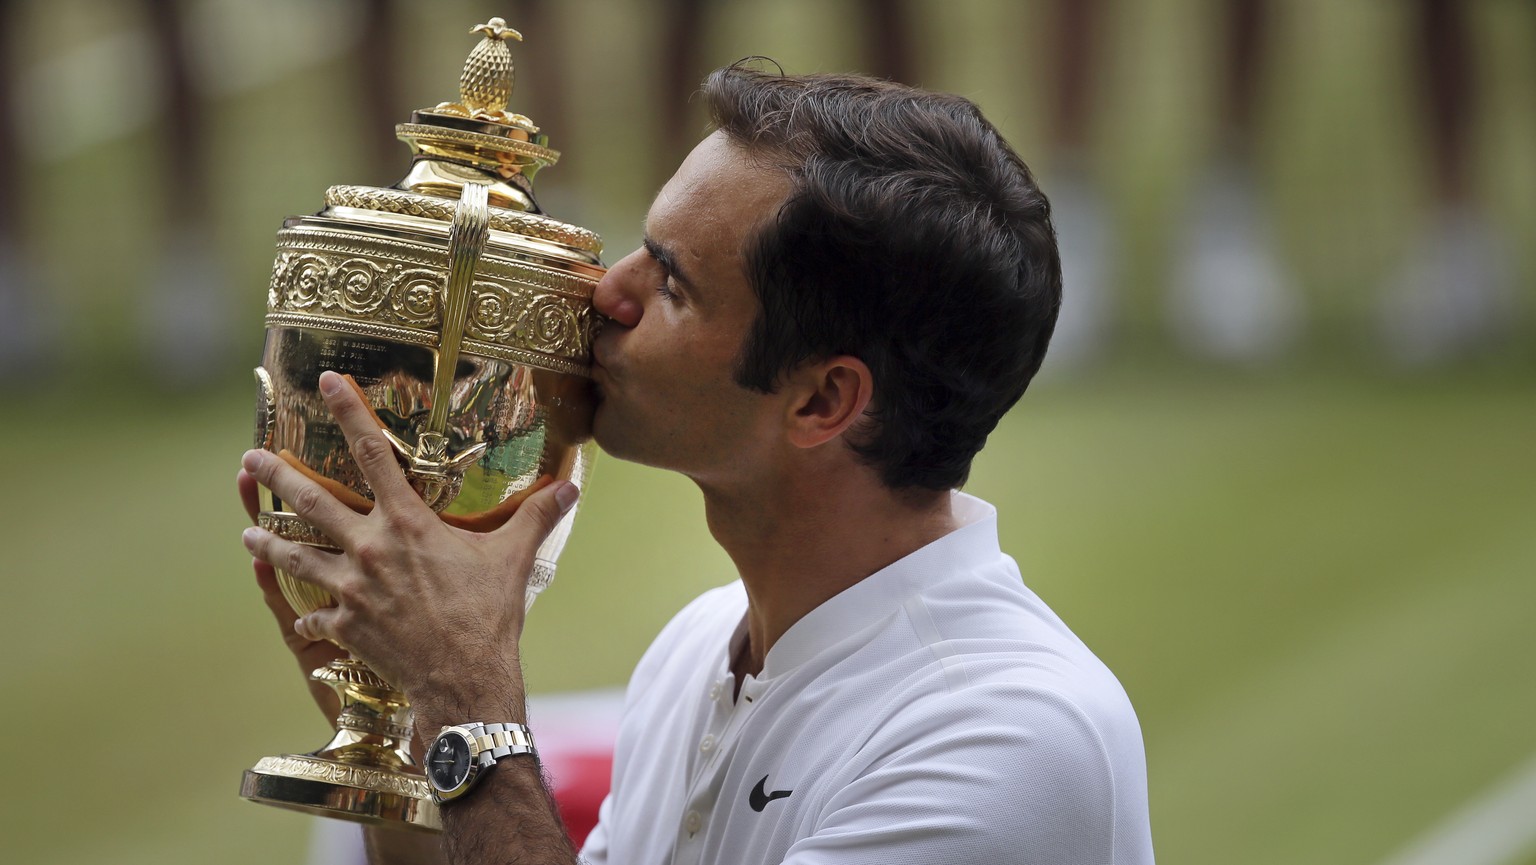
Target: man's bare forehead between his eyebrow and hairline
{"points": [[715, 201]]}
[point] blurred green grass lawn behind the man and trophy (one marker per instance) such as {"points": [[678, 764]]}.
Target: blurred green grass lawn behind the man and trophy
{"points": [[1314, 586]]}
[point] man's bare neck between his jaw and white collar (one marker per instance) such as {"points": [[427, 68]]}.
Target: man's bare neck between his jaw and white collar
{"points": [[799, 542]]}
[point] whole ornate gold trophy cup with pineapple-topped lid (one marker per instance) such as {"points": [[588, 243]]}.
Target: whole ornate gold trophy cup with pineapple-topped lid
{"points": [[465, 316]]}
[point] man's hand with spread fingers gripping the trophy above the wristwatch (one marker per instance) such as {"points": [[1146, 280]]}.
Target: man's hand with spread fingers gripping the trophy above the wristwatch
{"points": [[434, 609]]}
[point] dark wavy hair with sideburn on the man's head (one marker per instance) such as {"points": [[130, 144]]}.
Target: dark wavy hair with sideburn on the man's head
{"points": [[913, 239]]}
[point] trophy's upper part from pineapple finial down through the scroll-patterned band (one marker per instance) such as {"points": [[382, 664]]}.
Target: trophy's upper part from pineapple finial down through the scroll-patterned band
{"points": [[457, 257]]}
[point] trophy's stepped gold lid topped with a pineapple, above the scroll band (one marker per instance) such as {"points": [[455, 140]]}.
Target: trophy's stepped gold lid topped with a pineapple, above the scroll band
{"points": [[475, 141]]}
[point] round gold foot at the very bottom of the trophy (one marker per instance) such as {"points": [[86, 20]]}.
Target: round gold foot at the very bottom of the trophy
{"points": [[348, 792]]}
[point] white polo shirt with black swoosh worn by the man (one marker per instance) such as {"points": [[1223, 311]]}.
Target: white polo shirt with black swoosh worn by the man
{"points": [[935, 714]]}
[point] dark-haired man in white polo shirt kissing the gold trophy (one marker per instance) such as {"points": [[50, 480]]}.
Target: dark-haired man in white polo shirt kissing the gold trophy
{"points": [[841, 293]]}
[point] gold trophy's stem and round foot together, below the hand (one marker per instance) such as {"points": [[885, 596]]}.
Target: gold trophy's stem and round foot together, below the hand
{"points": [[366, 774]]}
